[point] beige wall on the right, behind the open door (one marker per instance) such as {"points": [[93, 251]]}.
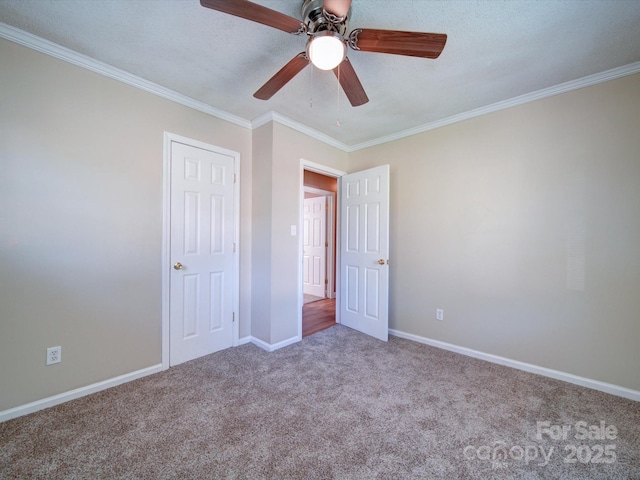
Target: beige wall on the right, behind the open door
{"points": [[524, 226]]}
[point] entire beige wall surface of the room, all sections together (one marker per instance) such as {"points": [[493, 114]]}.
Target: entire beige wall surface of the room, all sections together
{"points": [[522, 225]]}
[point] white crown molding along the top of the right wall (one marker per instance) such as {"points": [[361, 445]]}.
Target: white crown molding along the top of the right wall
{"points": [[587, 81]]}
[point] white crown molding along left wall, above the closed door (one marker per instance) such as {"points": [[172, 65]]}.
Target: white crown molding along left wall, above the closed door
{"points": [[49, 48]]}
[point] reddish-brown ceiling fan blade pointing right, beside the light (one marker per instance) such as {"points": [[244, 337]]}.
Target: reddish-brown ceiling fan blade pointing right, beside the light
{"points": [[414, 44]]}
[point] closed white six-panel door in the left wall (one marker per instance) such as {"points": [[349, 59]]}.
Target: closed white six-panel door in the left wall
{"points": [[201, 252]]}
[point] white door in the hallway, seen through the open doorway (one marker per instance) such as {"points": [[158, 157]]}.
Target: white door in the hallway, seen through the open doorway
{"points": [[314, 245]]}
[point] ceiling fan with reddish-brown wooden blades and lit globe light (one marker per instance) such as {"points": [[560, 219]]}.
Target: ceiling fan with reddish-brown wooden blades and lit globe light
{"points": [[326, 23]]}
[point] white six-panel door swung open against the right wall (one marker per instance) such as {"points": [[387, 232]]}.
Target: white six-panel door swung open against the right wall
{"points": [[364, 251]]}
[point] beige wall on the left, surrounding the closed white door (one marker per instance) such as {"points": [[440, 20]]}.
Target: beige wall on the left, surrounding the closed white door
{"points": [[81, 222]]}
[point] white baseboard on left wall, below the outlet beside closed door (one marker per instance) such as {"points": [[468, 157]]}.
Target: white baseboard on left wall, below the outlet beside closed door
{"points": [[77, 393]]}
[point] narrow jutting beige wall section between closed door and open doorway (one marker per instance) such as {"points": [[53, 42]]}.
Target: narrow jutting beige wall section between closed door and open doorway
{"points": [[278, 151]]}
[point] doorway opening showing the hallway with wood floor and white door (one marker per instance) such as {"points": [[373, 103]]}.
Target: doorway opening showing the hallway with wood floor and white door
{"points": [[319, 227]]}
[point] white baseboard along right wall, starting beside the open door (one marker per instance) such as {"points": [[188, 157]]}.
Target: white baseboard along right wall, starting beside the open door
{"points": [[527, 367]]}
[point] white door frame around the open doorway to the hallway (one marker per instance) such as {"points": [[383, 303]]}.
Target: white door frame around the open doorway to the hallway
{"points": [[329, 172]]}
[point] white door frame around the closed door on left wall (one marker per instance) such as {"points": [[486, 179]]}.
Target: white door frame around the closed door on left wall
{"points": [[168, 138]]}
